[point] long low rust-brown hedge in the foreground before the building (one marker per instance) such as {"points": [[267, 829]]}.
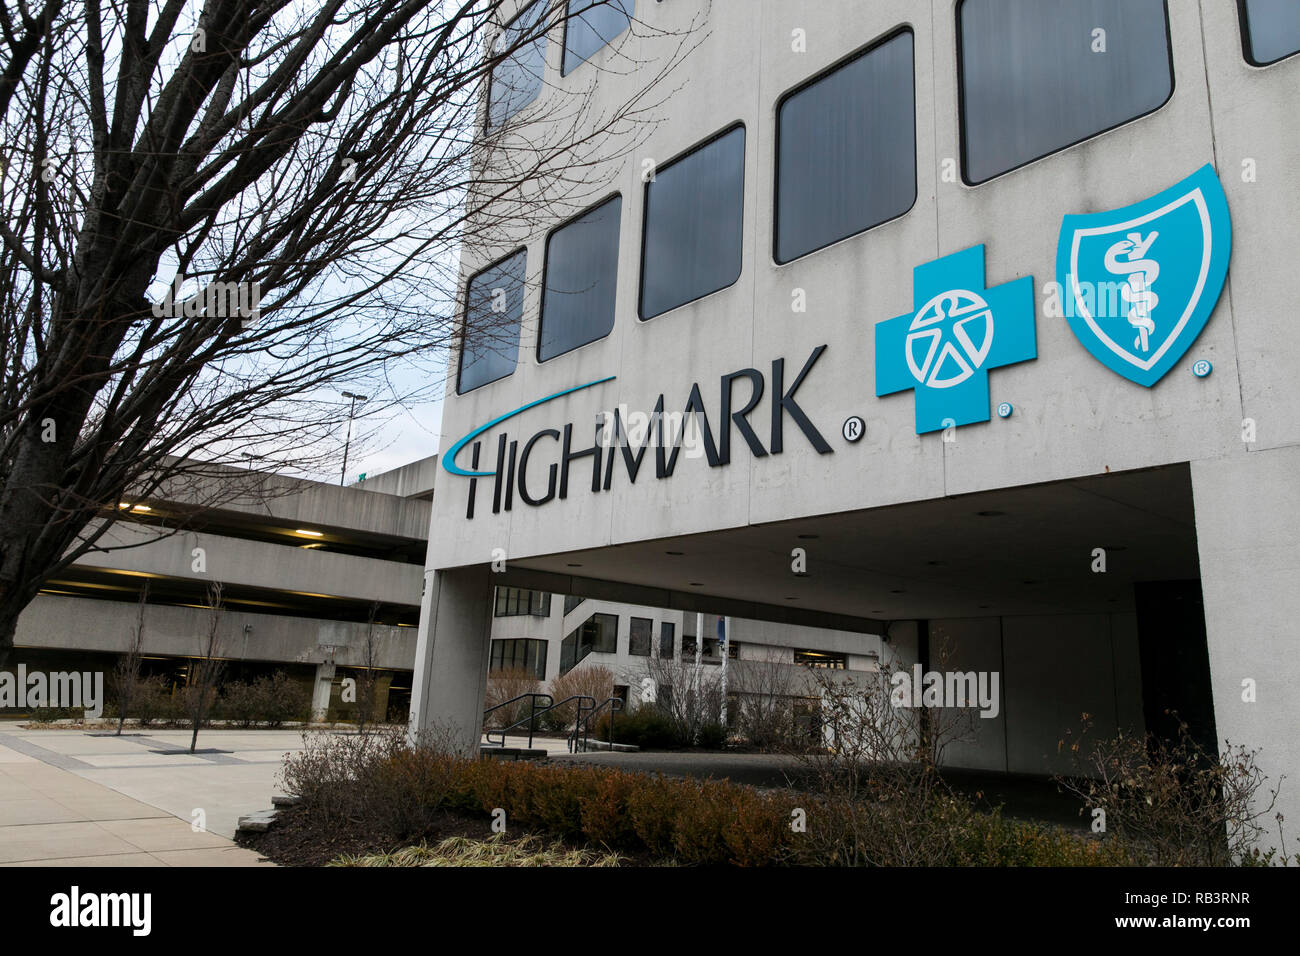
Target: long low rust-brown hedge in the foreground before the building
{"points": [[400, 790]]}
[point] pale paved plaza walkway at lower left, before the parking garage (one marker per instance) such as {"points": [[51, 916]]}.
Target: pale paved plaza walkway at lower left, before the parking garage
{"points": [[76, 799]]}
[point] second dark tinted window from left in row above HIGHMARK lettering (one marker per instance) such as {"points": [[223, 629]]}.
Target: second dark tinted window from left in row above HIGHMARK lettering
{"points": [[582, 274]]}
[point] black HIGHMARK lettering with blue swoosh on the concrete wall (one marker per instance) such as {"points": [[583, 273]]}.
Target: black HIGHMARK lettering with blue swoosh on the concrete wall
{"points": [[621, 436]]}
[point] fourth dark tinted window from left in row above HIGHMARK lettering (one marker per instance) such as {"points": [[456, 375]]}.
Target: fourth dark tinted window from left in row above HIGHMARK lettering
{"points": [[847, 150]]}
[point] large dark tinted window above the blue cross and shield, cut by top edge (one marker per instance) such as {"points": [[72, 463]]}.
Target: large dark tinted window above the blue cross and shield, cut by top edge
{"points": [[1039, 76]]}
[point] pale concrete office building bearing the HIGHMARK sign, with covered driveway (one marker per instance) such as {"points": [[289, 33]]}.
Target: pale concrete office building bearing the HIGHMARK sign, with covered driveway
{"points": [[985, 305]]}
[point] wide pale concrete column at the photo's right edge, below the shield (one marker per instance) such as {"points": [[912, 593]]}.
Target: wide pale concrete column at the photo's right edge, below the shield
{"points": [[1249, 538]]}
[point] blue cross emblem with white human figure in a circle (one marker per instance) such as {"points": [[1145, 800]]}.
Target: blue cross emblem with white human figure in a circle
{"points": [[960, 331]]}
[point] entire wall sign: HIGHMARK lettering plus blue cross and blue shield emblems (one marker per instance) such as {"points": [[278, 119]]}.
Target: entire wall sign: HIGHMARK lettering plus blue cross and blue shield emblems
{"points": [[1137, 285]]}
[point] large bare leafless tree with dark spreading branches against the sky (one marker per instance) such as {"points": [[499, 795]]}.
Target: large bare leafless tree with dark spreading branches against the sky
{"points": [[216, 214]]}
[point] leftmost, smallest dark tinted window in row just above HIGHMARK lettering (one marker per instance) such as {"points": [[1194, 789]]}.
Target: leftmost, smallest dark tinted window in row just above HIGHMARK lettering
{"points": [[495, 308]]}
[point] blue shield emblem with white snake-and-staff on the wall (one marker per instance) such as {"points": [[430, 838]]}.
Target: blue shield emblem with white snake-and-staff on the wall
{"points": [[1139, 284]]}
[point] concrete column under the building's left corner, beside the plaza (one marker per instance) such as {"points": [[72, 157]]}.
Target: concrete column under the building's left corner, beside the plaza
{"points": [[452, 655]]}
